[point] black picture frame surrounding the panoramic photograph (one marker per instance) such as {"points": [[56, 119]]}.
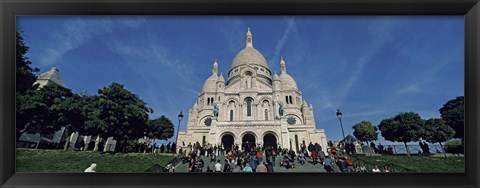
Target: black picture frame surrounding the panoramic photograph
{"points": [[11, 8]]}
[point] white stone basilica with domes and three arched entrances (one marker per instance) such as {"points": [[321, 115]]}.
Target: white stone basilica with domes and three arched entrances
{"points": [[251, 107]]}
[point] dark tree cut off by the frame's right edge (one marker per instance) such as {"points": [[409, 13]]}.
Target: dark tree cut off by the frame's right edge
{"points": [[453, 113]]}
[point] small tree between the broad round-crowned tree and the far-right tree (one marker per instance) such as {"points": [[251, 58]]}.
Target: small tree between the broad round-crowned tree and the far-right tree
{"points": [[437, 132]]}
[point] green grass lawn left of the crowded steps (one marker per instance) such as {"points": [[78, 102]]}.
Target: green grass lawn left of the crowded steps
{"points": [[32, 160]]}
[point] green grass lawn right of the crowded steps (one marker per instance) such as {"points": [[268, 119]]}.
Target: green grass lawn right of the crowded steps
{"points": [[421, 164]]}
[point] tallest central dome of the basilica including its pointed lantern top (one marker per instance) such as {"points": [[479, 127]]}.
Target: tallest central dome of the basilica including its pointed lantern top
{"points": [[249, 55]]}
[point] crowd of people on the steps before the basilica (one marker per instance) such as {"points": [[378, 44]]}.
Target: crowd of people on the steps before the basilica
{"points": [[260, 159]]}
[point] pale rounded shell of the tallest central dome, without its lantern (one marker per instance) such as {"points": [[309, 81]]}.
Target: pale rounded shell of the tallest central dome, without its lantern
{"points": [[249, 55]]}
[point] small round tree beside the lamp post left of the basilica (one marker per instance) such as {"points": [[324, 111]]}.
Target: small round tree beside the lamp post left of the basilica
{"points": [[160, 128]]}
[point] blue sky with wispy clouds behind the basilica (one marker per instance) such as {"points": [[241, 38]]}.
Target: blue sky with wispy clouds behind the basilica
{"points": [[369, 67]]}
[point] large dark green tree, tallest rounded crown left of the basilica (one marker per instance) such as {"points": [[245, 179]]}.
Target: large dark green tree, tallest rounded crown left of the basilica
{"points": [[123, 113]]}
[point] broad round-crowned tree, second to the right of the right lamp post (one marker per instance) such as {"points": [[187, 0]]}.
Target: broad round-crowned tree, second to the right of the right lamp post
{"points": [[404, 127]]}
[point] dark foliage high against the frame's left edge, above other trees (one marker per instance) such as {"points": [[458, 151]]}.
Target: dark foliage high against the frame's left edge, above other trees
{"points": [[24, 73]]}
